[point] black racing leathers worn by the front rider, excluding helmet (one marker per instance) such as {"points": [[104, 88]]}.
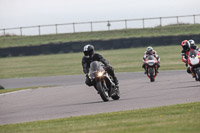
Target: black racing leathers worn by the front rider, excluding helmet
{"points": [[96, 57]]}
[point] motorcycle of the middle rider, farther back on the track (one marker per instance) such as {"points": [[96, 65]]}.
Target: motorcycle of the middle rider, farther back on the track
{"points": [[151, 66]]}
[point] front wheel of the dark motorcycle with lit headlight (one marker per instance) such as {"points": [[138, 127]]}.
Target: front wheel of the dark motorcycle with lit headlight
{"points": [[102, 89]]}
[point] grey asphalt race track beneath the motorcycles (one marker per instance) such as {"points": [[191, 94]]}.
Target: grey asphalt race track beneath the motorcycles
{"points": [[73, 98]]}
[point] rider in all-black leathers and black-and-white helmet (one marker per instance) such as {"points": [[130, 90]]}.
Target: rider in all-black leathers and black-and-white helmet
{"points": [[90, 56]]}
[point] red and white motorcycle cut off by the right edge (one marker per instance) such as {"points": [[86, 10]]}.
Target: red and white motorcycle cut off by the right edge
{"points": [[194, 62]]}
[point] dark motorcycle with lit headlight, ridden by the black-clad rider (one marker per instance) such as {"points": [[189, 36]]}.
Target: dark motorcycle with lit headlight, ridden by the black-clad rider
{"points": [[103, 82]]}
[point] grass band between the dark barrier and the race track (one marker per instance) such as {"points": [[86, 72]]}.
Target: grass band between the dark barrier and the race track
{"points": [[123, 60]]}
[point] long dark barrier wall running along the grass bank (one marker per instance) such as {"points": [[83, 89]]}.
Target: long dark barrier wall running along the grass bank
{"points": [[98, 44]]}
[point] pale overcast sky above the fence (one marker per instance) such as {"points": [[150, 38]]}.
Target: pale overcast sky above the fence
{"points": [[16, 13]]}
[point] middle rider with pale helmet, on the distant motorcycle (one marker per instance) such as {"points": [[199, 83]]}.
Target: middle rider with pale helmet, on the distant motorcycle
{"points": [[150, 51]]}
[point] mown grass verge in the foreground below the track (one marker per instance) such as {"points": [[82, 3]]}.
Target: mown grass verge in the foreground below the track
{"points": [[183, 118]]}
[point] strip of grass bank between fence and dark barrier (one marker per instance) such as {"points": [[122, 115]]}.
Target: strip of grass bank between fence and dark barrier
{"points": [[102, 35]]}
